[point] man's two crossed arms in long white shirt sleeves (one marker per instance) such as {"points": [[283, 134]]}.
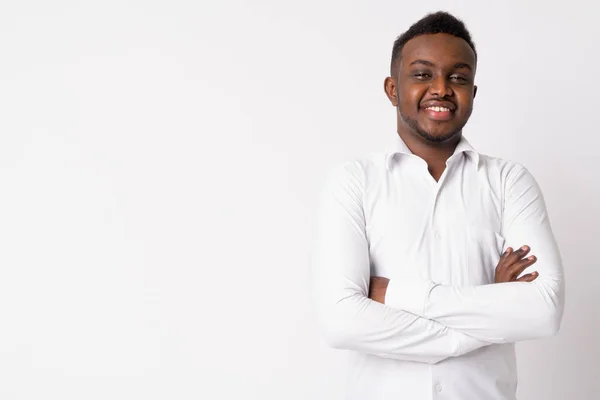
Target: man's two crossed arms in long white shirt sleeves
{"points": [[421, 320]]}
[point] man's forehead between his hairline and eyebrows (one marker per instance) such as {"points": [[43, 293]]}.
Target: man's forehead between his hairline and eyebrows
{"points": [[440, 49]]}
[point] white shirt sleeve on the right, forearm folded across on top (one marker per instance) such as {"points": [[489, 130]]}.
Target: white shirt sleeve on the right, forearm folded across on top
{"points": [[504, 312]]}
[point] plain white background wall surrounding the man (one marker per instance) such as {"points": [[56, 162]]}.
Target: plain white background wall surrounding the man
{"points": [[159, 168]]}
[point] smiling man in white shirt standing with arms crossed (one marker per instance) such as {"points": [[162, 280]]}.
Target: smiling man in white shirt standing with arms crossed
{"points": [[414, 265]]}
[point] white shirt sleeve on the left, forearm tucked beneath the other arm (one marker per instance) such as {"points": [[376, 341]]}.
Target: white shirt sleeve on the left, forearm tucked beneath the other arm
{"points": [[341, 274]]}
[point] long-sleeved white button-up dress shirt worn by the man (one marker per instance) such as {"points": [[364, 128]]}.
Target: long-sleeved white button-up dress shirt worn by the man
{"points": [[446, 330]]}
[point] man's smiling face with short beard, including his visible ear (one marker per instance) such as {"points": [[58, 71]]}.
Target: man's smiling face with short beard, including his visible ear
{"points": [[433, 89]]}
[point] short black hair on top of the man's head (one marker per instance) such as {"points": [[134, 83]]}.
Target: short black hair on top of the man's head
{"points": [[439, 22]]}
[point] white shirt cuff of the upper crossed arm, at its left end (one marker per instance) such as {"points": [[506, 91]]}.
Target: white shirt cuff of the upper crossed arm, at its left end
{"points": [[408, 294]]}
